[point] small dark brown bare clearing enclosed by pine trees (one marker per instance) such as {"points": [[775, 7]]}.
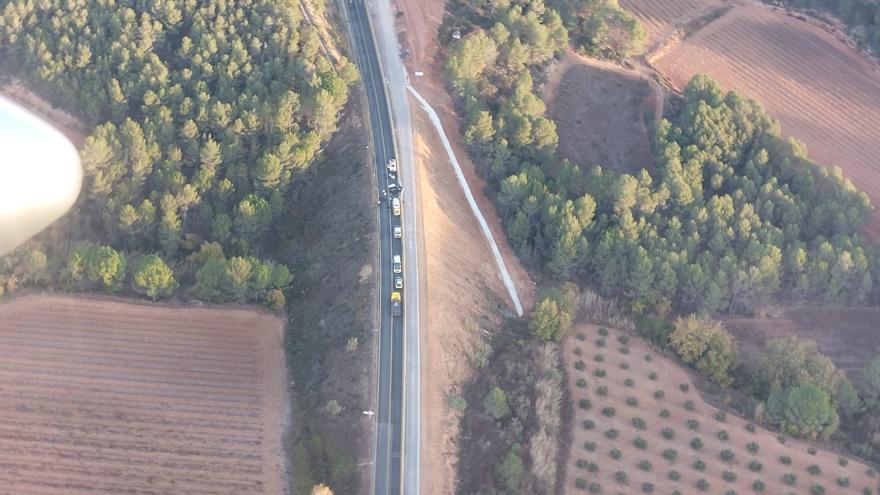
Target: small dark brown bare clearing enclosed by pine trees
{"points": [[600, 112]]}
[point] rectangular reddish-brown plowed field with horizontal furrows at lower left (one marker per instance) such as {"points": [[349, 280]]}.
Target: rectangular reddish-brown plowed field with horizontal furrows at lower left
{"points": [[101, 397]]}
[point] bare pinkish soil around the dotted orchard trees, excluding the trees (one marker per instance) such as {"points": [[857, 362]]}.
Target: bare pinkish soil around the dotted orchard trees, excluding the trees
{"points": [[669, 376]]}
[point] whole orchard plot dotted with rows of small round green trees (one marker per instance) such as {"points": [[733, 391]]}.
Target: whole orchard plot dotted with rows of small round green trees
{"points": [[639, 426]]}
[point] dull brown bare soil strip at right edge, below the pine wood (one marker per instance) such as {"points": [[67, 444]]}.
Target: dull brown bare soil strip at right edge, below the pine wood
{"points": [[848, 336]]}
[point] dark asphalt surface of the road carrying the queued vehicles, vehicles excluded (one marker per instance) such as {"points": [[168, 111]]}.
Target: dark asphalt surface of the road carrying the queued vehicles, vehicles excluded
{"points": [[387, 479]]}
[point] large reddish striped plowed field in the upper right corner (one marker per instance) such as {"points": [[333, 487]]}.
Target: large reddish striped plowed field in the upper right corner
{"points": [[823, 92]]}
